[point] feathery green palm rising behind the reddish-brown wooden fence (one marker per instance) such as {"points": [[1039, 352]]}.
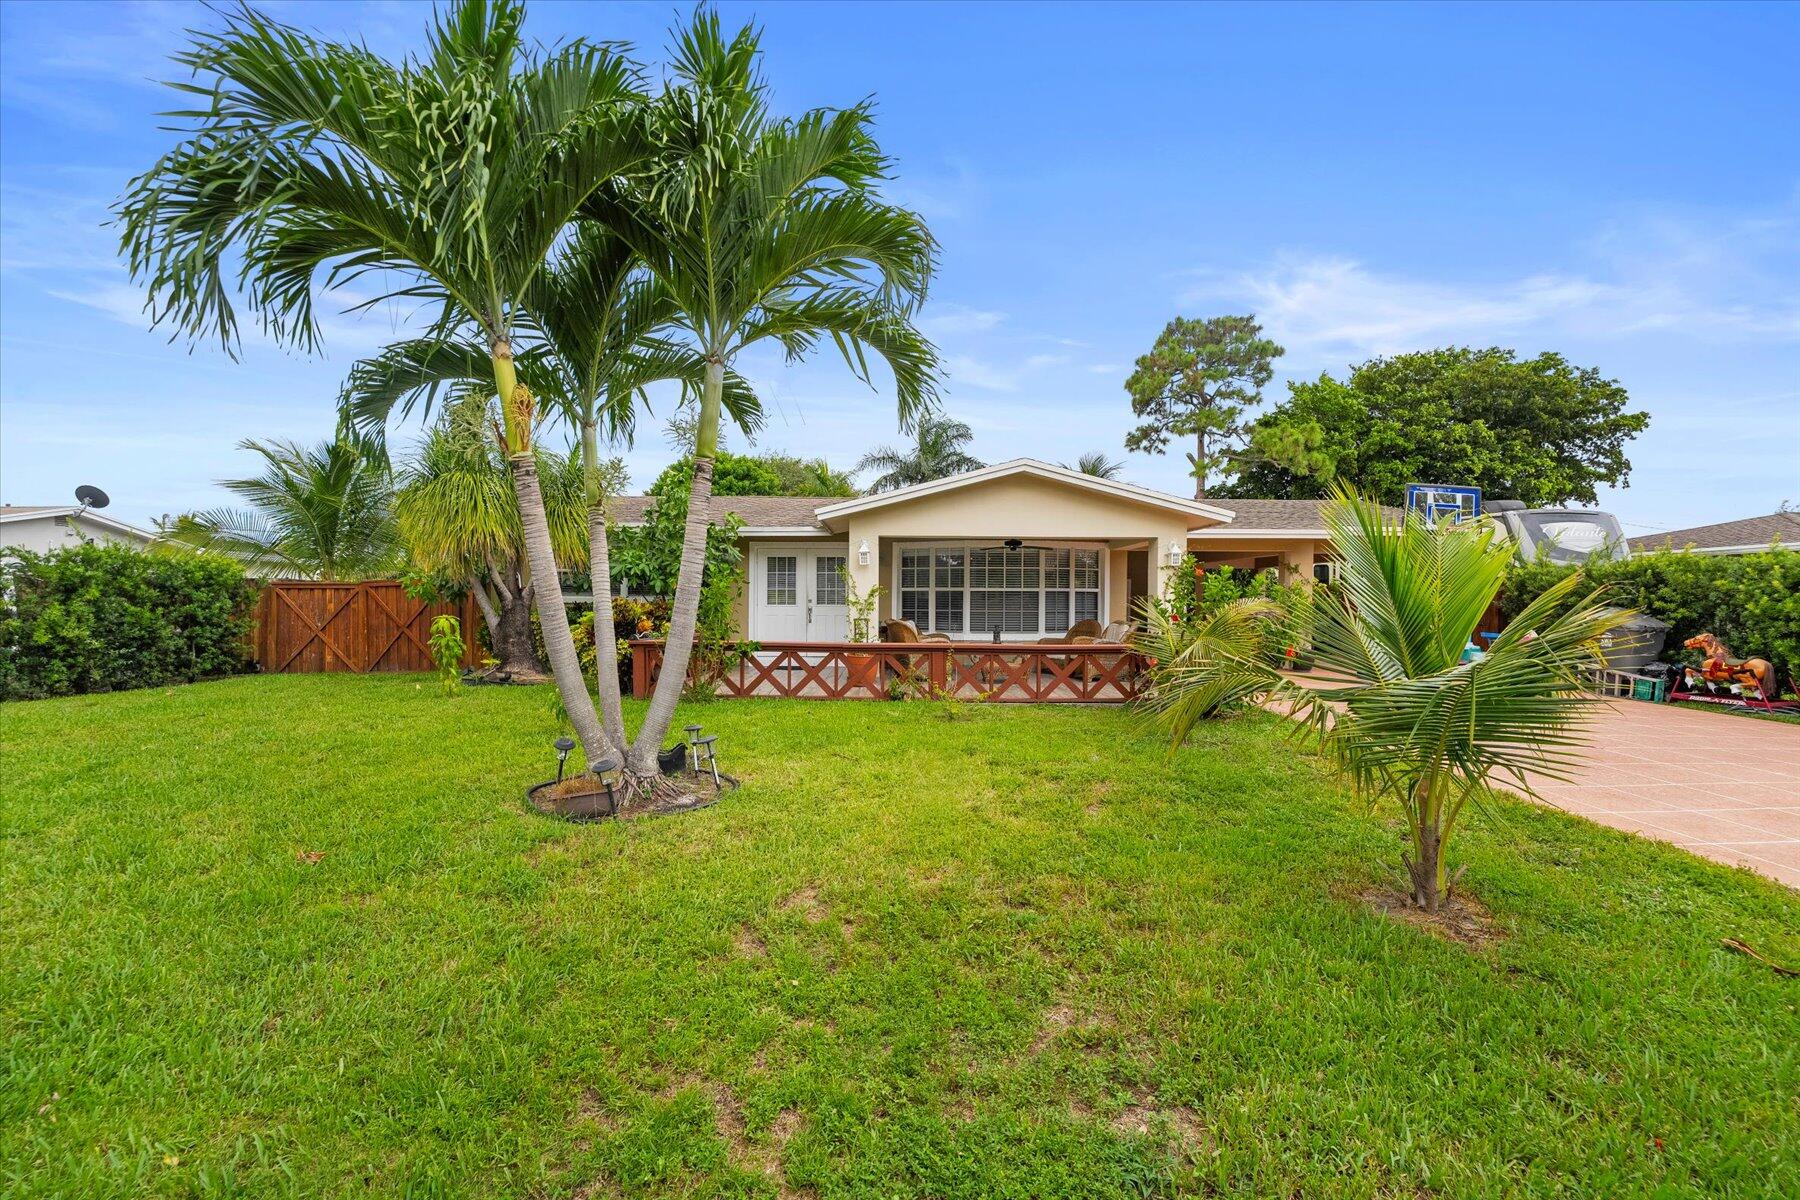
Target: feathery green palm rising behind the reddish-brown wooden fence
{"points": [[316, 514]]}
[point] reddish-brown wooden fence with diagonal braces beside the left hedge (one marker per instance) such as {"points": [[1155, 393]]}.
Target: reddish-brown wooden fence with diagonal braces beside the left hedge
{"points": [[305, 629]]}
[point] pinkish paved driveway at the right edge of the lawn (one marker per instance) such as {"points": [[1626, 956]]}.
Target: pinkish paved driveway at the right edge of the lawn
{"points": [[1716, 784]]}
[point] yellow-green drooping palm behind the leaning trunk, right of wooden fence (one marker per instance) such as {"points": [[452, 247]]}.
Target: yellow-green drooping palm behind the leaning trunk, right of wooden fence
{"points": [[458, 514]]}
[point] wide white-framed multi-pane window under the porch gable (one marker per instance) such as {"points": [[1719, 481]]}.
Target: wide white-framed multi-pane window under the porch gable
{"points": [[973, 591]]}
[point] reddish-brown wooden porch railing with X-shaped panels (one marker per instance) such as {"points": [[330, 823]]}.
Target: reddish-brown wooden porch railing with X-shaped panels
{"points": [[1009, 672]]}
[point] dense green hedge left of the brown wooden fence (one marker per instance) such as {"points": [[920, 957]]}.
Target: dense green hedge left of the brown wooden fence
{"points": [[109, 618]]}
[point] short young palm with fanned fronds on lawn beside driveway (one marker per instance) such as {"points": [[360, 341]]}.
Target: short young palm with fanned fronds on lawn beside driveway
{"points": [[1412, 722]]}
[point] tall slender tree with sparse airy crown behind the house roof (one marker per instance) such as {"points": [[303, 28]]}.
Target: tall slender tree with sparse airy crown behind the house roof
{"points": [[1196, 384]]}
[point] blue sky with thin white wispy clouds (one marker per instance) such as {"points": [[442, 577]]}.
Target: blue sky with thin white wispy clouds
{"points": [[1615, 183]]}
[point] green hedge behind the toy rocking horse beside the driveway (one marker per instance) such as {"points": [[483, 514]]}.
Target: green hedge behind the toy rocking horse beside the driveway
{"points": [[1749, 600]]}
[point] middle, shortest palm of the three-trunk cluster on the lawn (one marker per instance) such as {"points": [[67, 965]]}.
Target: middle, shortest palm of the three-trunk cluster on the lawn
{"points": [[593, 352]]}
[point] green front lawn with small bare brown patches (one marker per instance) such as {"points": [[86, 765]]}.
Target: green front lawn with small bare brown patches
{"points": [[1007, 956]]}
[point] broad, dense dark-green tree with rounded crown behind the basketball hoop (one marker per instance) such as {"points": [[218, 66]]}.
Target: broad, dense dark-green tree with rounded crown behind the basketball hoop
{"points": [[1536, 431]]}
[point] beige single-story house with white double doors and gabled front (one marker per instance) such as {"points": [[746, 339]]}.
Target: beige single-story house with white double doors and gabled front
{"points": [[1025, 546]]}
